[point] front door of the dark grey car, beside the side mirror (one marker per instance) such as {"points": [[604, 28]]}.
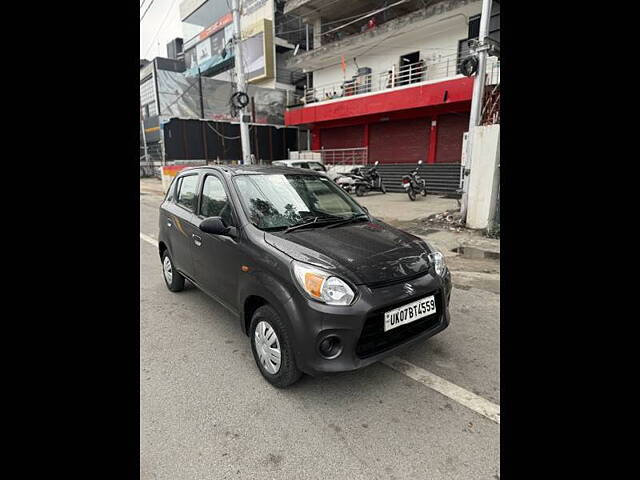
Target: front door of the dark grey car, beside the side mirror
{"points": [[218, 258]]}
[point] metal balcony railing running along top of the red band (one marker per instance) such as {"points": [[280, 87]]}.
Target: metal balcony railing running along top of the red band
{"points": [[397, 76]]}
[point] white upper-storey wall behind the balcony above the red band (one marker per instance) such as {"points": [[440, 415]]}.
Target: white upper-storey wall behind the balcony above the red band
{"points": [[436, 40]]}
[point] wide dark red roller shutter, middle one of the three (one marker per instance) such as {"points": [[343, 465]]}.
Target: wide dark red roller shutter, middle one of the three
{"points": [[401, 141]]}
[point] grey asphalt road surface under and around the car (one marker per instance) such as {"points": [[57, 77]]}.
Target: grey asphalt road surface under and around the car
{"points": [[206, 412]]}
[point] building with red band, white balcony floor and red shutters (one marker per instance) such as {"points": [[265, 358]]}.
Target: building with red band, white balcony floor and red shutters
{"points": [[385, 77]]}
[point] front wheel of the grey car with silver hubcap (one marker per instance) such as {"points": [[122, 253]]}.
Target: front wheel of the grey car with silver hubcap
{"points": [[272, 349]]}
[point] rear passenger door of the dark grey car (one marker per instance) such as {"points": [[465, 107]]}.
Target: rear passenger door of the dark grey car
{"points": [[179, 215]]}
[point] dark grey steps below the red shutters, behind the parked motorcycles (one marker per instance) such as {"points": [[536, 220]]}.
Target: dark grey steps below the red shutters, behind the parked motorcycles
{"points": [[440, 177]]}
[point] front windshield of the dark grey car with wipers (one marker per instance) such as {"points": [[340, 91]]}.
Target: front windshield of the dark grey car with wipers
{"points": [[280, 201]]}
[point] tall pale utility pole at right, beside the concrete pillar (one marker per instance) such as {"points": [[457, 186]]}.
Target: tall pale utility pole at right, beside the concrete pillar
{"points": [[476, 100]]}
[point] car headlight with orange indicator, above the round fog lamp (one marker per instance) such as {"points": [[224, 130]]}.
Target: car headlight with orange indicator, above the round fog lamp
{"points": [[322, 286]]}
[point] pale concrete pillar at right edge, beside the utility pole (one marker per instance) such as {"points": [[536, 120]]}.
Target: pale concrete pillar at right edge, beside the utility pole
{"points": [[484, 179]]}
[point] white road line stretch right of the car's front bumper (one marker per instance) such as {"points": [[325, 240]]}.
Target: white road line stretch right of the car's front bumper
{"points": [[458, 394]]}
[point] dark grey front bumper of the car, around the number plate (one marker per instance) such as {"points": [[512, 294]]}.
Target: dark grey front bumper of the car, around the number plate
{"points": [[360, 326]]}
